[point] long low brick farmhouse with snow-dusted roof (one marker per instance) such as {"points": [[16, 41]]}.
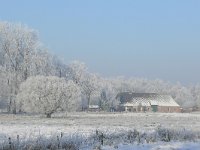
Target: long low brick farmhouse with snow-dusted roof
{"points": [[147, 102]]}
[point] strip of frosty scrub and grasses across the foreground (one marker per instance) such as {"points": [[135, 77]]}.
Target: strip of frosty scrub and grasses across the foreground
{"points": [[95, 140]]}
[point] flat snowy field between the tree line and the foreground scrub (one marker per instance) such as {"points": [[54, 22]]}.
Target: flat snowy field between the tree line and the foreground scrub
{"points": [[28, 125]]}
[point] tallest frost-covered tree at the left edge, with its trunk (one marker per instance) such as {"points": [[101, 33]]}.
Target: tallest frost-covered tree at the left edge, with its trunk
{"points": [[17, 42]]}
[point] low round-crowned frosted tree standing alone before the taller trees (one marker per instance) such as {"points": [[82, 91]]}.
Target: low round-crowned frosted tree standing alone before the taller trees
{"points": [[47, 95]]}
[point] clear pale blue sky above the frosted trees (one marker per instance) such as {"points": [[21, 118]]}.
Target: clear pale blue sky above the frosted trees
{"points": [[143, 38]]}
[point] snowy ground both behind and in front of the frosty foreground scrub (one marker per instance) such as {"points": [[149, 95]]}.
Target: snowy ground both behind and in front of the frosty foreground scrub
{"points": [[28, 127]]}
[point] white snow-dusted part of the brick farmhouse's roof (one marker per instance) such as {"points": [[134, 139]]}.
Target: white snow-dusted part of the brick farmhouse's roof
{"points": [[148, 99]]}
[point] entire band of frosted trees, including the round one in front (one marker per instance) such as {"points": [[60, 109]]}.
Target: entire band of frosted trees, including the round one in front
{"points": [[31, 79]]}
